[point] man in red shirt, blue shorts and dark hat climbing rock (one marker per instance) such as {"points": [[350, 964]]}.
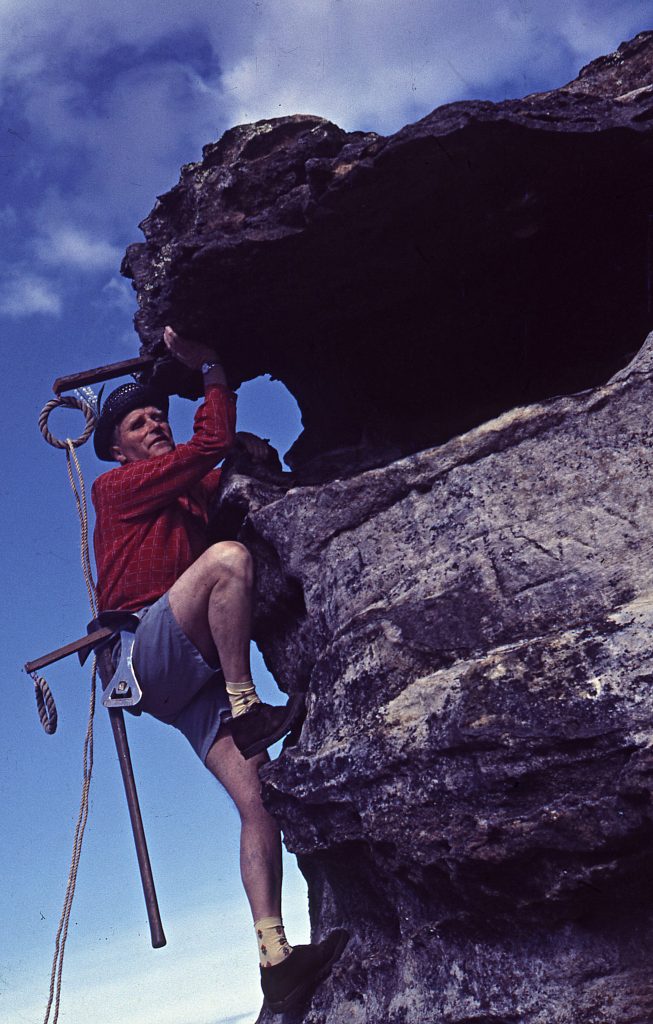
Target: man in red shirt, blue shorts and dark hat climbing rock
{"points": [[194, 603]]}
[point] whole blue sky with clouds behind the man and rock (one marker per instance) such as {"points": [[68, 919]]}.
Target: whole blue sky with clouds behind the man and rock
{"points": [[100, 108]]}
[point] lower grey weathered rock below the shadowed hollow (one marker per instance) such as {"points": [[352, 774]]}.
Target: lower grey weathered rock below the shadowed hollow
{"points": [[471, 793]]}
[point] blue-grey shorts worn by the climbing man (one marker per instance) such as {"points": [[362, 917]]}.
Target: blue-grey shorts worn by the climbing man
{"points": [[180, 688]]}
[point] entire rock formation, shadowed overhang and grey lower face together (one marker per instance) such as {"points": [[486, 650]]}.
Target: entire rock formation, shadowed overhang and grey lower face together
{"points": [[472, 623]]}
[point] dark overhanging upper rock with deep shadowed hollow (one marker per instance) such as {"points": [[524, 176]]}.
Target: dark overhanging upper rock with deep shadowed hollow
{"points": [[409, 288]]}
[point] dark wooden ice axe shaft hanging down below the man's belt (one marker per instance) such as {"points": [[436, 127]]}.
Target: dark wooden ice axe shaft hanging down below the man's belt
{"points": [[106, 668]]}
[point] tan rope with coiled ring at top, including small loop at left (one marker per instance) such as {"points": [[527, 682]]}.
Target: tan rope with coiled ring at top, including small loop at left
{"points": [[45, 699]]}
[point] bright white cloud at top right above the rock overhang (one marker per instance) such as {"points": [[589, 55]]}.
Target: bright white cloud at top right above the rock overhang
{"points": [[368, 64]]}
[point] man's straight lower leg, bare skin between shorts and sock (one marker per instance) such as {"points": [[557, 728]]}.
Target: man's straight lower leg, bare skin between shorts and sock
{"points": [[260, 837]]}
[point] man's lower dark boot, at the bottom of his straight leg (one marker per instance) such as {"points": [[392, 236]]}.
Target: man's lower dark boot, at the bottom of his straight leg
{"points": [[290, 984]]}
